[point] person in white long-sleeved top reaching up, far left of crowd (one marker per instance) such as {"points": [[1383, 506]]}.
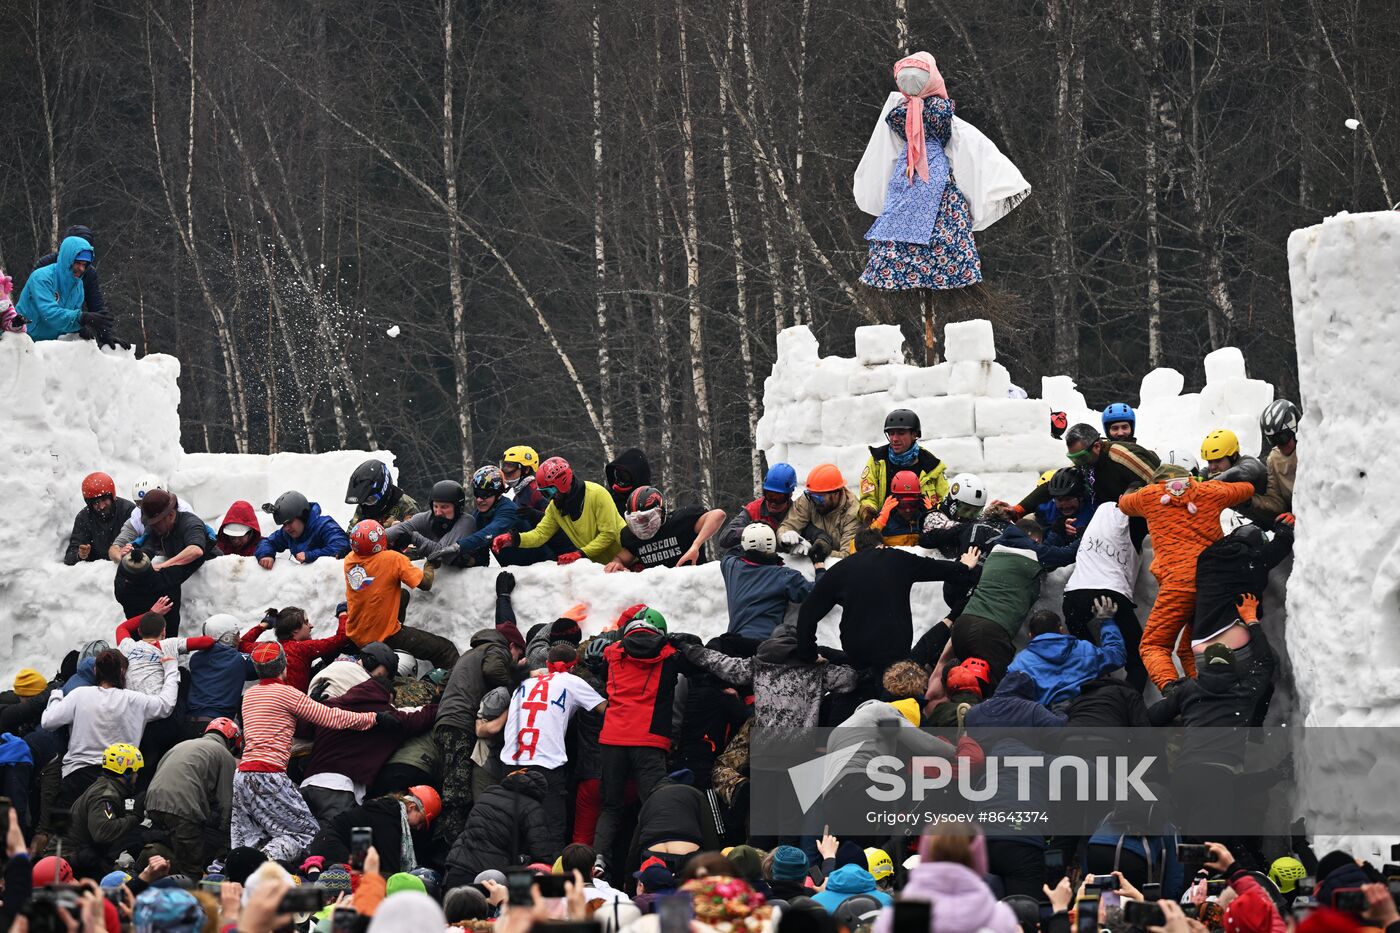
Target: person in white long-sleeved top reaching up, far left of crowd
{"points": [[104, 715]]}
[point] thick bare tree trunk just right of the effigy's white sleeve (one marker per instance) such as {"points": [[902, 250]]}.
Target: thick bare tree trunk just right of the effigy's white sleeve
{"points": [[1069, 121]]}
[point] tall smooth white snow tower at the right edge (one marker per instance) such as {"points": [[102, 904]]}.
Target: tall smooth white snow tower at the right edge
{"points": [[1345, 593]]}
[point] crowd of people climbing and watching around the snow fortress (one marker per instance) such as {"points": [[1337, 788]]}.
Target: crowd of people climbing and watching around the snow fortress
{"points": [[239, 773]]}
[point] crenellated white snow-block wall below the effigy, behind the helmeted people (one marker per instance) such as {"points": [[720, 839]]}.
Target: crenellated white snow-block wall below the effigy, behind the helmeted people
{"points": [[832, 410]]}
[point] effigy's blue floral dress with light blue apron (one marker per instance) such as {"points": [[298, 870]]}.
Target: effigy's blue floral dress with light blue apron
{"points": [[923, 240]]}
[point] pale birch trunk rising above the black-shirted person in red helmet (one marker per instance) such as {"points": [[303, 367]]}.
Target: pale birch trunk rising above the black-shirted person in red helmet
{"points": [[699, 378]]}
